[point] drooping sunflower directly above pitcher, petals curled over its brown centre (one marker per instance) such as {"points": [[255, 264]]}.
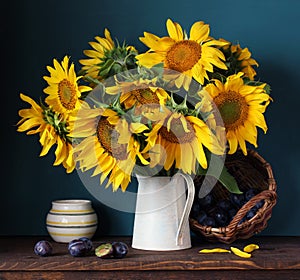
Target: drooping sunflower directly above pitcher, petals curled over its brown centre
{"points": [[179, 139]]}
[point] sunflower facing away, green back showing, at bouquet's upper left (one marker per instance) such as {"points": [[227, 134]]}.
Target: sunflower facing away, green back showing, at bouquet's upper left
{"points": [[107, 59]]}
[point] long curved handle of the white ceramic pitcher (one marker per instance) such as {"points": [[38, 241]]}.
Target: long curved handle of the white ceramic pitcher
{"points": [[187, 207]]}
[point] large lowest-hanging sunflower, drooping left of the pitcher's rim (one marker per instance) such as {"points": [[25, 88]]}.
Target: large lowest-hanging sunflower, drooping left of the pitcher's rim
{"points": [[107, 146]]}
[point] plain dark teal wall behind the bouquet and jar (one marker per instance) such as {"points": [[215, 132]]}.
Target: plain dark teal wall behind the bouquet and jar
{"points": [[35, 32]]}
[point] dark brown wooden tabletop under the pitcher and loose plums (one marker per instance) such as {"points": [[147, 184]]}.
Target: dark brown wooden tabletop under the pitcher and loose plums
{"points": [[277, 257]]}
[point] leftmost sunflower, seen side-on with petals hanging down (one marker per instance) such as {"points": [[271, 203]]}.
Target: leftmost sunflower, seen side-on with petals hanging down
{"points": [[52, 129]]}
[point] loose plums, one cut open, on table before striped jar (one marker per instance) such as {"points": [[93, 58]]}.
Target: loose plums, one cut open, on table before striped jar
{"points": [[83, 247]]}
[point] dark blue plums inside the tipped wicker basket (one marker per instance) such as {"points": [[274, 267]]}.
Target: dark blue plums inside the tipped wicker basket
{"points": [[209, 212]]}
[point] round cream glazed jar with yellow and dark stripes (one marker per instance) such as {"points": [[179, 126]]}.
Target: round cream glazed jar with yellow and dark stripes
{"points": [[71, 219]]}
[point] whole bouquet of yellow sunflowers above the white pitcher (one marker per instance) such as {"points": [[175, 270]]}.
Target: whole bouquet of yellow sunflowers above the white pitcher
{"points": [[169, 109]]}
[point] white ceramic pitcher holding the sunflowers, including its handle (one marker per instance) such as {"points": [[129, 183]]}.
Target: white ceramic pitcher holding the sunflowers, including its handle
{"points": [[162, 213]]}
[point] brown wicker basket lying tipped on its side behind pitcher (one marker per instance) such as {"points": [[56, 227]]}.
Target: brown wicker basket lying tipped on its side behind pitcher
{"points": [[250, 171]]}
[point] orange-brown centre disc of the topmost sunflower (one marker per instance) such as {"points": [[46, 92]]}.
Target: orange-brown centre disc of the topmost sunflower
{"points": [[183, 55]]}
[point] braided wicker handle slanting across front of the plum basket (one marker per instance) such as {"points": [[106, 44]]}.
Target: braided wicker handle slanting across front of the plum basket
{"points": [[267, 195]]}
